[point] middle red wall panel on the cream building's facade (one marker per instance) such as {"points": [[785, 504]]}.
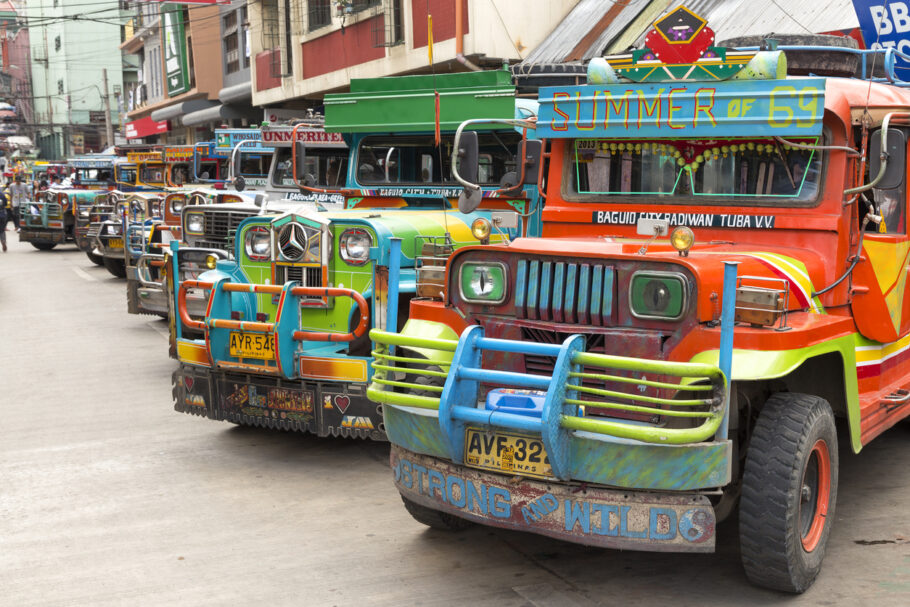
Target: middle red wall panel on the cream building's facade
{"points": [[339, 50]]}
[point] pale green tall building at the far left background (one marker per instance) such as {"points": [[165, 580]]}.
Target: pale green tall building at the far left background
{"points": [[69, 57]]}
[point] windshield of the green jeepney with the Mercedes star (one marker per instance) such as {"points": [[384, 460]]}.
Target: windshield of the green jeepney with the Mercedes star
{"points": [[415, 159]]}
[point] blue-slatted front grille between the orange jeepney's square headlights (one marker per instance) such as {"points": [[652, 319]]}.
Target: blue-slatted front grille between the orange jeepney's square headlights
{"points": [[564, 292]]}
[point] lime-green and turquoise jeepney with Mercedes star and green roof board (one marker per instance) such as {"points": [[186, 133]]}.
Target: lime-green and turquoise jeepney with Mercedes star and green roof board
{"points": [[282, 341]]}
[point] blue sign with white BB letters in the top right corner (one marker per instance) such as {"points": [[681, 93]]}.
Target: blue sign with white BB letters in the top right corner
{"points": [[886, 24]]}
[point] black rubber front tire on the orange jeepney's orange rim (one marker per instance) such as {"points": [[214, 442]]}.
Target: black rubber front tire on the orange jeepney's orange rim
{"points": [[770, 529]]}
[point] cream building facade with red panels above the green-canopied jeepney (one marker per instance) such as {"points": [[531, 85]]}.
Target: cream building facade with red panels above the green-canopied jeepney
{"points": [[304, 48]]}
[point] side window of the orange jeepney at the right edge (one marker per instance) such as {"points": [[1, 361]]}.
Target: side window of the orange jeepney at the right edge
{"points": [[891, 198]]}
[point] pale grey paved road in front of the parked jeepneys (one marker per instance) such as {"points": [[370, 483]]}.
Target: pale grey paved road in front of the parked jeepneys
{"points": [[109, 497]]}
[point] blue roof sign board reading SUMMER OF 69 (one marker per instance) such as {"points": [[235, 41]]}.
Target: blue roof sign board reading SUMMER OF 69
{"points": [[742, 108]]}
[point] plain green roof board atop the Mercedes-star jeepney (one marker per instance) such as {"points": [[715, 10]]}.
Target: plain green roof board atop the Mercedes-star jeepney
{"points": [[404, 104]]}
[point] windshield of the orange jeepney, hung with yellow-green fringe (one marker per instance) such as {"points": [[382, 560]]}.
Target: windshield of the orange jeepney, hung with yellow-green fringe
{"points": [[760, 169]]}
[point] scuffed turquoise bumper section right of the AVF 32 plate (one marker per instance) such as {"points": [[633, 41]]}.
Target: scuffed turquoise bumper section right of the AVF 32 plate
{"points": [[642, 466]]}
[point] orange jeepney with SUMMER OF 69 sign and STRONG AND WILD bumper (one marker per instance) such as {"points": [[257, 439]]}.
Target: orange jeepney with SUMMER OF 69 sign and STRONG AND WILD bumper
{"points": [[721, 281]]}
